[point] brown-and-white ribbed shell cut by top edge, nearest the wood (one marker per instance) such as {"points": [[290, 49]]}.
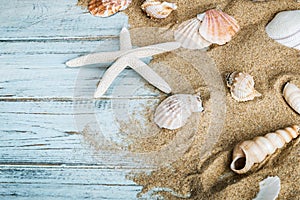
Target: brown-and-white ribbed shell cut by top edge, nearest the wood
{"points": [[106, 8]]}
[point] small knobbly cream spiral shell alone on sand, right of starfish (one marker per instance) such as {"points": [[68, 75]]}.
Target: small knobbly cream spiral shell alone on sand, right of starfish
{"points": [[241, 86]]}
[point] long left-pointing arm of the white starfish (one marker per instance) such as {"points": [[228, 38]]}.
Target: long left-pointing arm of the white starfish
{"points": [[94, 58]]}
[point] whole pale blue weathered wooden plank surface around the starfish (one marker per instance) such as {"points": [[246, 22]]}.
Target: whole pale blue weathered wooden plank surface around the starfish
{"points": [[44, 152]]}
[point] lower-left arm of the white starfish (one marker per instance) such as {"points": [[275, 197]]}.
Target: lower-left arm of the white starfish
{"points": [[109, 76]]}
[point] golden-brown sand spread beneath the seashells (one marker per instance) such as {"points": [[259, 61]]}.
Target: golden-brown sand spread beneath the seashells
{"points": [[206, 175]]}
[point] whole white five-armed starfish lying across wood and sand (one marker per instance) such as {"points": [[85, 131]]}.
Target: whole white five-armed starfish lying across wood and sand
{"points": [[126, 56]]}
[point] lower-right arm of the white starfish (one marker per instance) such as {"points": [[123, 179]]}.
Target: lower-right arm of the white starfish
{"points": [[148, 74]]}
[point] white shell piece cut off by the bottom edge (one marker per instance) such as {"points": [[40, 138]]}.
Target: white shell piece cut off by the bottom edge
{"points": [[269, 188]]}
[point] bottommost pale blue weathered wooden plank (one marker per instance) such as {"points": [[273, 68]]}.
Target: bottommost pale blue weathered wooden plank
{"points": [[54, 182]]}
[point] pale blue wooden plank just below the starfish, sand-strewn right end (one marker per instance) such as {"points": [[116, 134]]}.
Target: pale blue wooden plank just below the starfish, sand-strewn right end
{"points": [[51, 132]]}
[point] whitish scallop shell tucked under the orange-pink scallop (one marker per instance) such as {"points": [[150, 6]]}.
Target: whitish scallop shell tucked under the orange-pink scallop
{"points": [[188, 35]]}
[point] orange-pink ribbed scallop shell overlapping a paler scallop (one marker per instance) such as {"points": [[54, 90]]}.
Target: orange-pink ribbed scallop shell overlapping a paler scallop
{"points": [[218, 27]]}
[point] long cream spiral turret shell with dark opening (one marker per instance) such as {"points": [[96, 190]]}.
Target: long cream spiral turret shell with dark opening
{"points": [[247, 153]]}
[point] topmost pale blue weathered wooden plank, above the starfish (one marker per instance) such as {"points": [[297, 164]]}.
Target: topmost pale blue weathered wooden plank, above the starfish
{"points": [[29, 19]]}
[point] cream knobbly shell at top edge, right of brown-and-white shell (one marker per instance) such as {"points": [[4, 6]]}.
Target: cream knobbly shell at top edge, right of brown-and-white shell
{"points": [[158, 10]]}
